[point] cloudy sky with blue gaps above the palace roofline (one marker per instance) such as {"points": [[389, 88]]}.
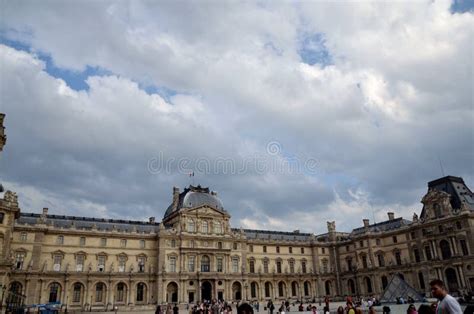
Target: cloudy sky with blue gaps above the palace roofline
{"points": [[294, 112]]}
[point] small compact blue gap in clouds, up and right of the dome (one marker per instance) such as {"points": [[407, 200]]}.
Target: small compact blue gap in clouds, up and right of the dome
{"points": [[313, 50]]}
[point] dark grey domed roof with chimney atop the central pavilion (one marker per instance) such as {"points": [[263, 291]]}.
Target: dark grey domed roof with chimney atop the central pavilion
{"points": [[192, 197]]}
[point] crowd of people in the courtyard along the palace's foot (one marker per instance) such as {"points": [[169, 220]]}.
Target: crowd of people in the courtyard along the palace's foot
{"points": [[446, 304]]}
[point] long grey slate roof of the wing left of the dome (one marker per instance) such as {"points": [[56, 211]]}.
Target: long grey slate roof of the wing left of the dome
{"points": [[66, 222]]}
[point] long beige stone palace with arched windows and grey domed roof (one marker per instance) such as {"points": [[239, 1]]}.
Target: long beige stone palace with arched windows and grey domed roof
{"points": [[194, 254]]}
